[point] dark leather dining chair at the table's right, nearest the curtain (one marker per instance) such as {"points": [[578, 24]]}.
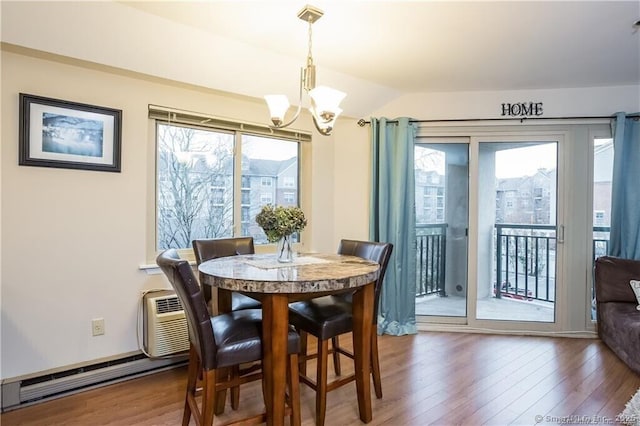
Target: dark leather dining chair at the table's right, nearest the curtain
{"points": [[328, 317]]}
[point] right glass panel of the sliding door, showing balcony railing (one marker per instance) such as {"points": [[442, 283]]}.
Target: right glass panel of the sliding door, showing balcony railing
{"points": [[517, 231]]}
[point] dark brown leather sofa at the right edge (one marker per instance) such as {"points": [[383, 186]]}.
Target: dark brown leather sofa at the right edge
{"points": [[618, 318]]}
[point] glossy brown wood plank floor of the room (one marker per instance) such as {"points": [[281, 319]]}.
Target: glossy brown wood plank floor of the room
{"points": [[428, 379]]}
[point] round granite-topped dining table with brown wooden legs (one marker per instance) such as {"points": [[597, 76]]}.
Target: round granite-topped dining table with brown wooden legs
{"points": [[275, 285]]}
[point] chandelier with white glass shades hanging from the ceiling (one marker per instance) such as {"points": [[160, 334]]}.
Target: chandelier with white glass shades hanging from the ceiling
{"points": [[325, 101]]}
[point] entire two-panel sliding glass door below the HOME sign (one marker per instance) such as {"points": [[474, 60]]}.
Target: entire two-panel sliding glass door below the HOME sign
{"points": [[499, 194]]}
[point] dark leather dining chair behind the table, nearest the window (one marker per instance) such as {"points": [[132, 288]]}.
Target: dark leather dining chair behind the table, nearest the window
{"points": [[207, 249]]}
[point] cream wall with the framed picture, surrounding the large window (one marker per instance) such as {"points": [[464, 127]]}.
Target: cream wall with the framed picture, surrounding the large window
{"points": [[73, 240]]}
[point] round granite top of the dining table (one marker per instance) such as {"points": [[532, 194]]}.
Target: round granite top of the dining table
{"points": [[262, 273]]}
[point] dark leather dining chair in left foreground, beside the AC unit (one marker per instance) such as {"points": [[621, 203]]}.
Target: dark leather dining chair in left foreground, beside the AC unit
{"points": [[218, 342]]}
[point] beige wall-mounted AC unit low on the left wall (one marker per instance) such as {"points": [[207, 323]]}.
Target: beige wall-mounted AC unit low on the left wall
{"points": [[165, 325]]}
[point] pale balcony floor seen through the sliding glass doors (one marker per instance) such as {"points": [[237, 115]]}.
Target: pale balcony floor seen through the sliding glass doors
{"points": [[489, 308]]}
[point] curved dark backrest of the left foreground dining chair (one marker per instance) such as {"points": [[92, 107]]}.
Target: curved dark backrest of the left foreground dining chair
{"points": [[184, 282]]}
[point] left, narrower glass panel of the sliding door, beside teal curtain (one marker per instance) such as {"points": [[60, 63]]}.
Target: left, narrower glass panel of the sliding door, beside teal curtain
{"points": [[442, 222]]}
